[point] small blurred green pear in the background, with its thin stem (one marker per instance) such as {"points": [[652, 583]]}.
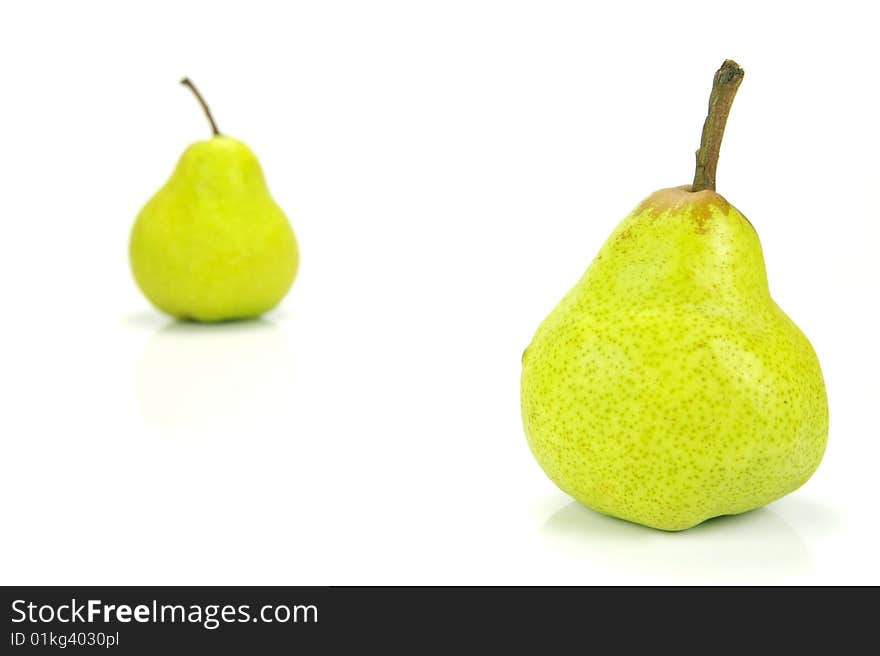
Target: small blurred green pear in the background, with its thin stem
{"points": [[212, 244]]}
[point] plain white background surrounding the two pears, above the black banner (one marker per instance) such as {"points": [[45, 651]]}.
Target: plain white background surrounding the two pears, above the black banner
{"points": [[450, 169]]}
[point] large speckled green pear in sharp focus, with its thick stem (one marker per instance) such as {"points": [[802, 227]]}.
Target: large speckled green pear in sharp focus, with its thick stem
{"points": [[667, 387]]}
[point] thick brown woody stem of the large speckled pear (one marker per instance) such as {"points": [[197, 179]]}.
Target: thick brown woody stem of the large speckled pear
{"points": [[724, 86]]}
